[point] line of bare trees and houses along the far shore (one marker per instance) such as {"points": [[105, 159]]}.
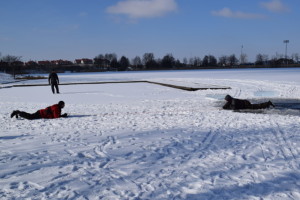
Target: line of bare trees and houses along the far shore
{"points": [[110, 62]]}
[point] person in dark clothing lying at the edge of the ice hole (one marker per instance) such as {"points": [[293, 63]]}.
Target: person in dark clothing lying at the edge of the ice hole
{"points": [[237, 104]]}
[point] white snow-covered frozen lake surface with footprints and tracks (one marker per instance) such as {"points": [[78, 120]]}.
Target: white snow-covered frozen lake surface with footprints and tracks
{"points": [[146, 141]]}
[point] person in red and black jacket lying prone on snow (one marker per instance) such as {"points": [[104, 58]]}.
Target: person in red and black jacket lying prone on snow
{"points": [[50, 112]]}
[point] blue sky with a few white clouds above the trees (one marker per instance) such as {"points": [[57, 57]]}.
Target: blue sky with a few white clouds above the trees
{"points": [[73, 29]]}
